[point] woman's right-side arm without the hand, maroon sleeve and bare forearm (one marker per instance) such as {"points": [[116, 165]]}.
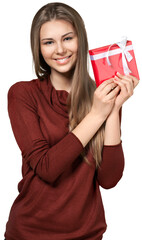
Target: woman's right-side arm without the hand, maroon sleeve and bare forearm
{"points": [[111, 169]]}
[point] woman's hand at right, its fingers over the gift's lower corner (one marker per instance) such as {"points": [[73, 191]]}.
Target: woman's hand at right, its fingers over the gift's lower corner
{"points": [[127, 85]]}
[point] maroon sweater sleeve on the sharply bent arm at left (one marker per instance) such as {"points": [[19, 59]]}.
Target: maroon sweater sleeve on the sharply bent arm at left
{"points": [[47, 162]]}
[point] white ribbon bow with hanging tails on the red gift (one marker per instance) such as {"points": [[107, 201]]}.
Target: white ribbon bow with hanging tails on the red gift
{"points": [[126, 56]]}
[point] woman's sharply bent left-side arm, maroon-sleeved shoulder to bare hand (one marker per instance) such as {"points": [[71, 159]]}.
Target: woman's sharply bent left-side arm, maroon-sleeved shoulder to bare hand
{"points": [[50, 162]]}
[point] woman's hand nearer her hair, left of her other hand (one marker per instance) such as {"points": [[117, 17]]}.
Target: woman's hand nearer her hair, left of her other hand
{"points": [[104, 98]]}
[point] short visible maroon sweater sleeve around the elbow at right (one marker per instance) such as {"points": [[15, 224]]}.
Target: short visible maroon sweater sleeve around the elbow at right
{"points": [[111, 169]]}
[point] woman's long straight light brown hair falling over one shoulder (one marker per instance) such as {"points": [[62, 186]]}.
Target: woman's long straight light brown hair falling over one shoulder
{"points": [[83, 87]]}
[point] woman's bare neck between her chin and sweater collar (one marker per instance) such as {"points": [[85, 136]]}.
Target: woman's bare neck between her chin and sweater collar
{"points": [[61, 81]]}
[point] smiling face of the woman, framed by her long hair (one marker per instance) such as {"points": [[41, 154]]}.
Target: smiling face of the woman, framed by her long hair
{"points": [[59, 45]]}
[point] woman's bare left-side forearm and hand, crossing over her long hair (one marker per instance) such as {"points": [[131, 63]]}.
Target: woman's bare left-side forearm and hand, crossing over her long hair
{"points": [[103, 103]]}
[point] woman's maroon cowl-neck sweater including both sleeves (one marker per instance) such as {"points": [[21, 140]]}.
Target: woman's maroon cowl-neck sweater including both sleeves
{"points": [[59, 196]]}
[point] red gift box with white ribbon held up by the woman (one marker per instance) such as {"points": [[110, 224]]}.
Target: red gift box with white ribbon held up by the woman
{"points": [[108, 60]]}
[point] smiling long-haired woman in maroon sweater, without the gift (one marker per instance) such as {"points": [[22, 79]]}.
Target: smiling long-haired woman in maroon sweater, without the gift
{"points": [[68, 132]]}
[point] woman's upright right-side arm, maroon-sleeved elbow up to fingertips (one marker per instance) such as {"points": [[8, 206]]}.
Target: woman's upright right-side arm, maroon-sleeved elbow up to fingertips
{"points": [[111, 168]]}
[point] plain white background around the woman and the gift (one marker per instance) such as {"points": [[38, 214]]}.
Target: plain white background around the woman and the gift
{"points": [[106, 22]]}
